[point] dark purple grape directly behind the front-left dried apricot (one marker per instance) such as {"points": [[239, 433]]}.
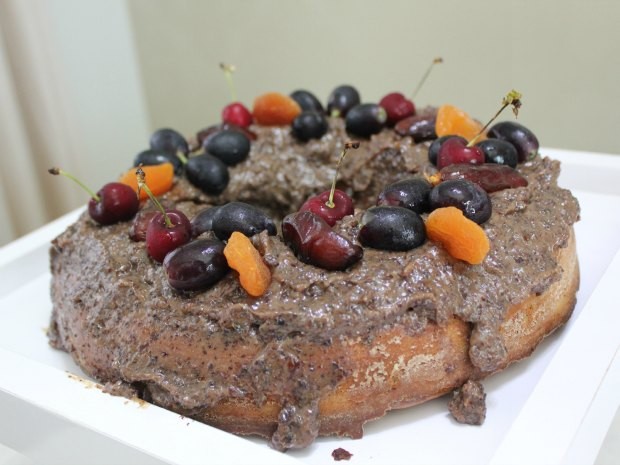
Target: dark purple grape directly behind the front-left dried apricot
{"points": [[242, 217]]}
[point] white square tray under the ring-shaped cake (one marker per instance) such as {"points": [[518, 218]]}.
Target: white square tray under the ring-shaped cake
{"points": [[551, 408]]}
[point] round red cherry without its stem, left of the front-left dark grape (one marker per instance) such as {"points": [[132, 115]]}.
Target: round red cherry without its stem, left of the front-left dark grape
{"points": [[162, 238]]}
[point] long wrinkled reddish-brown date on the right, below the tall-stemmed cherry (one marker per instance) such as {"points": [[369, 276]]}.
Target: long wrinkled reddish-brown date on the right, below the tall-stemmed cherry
{"points": [[489, 176]]}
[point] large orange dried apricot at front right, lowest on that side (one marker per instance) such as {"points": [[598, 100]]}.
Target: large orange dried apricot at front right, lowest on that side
{"points": [[460, 236]]}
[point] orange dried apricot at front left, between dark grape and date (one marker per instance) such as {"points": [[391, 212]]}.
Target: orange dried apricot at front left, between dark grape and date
{"points": [[242, 256]]}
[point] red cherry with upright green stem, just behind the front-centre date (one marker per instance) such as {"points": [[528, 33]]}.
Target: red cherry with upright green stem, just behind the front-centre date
{"points": [[332, 205]]}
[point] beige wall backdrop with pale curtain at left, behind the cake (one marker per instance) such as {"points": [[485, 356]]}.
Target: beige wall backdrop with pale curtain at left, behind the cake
{"points": [[84, 82]]}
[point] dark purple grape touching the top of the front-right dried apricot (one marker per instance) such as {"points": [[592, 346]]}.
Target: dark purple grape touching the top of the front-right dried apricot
{"points": [[468, 197]]}
